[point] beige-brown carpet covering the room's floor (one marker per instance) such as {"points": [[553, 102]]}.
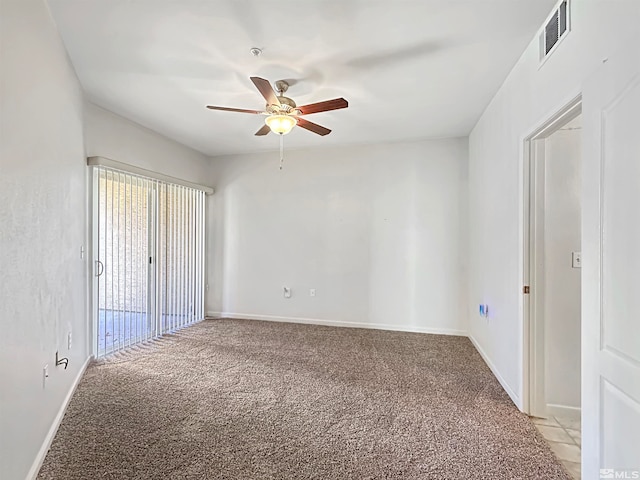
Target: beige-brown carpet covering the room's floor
{"points": [[237, 399]]}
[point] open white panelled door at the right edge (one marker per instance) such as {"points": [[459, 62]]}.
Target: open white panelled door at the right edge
{"points": [[611, 269]]}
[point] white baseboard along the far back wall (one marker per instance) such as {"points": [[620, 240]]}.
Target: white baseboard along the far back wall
{"points": [[338, 323]]}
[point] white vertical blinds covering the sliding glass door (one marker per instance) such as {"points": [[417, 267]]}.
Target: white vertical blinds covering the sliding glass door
{"points": [[150, 258]]}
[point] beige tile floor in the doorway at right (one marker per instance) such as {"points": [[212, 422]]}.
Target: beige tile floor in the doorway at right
{"points": [[563, 436]]}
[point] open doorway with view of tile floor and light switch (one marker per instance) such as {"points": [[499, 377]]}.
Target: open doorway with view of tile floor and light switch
{"points": [[552, 306]]}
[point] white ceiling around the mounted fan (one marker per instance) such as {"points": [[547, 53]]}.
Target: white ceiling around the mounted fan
{"points": [[409, 69]]}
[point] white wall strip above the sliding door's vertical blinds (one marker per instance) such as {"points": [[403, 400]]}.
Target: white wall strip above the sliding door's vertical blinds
{"points": [[112, 136]]}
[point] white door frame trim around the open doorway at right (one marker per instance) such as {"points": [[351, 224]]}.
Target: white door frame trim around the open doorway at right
{"points": [[533, 398]]}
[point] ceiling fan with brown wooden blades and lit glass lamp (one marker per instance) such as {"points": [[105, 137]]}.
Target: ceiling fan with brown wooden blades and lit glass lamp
{"points": [[282, 113]]}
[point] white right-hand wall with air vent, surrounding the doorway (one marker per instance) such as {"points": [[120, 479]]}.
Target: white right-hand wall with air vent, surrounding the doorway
{"points": [[529, 96]]}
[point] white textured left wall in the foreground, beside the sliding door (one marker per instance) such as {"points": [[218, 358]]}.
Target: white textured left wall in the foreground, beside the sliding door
{"points": [[42, 228]]}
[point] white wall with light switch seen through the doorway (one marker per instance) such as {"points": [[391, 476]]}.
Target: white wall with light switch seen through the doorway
{"points": [[562, 231]]}
